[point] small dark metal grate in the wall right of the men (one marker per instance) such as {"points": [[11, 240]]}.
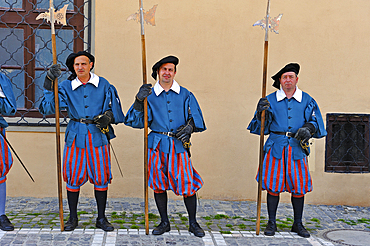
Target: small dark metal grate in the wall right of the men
{"points": [[347, 143]]}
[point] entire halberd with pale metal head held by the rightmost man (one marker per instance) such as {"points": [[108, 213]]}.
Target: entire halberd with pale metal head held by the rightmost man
{"points": [[273, 25]]}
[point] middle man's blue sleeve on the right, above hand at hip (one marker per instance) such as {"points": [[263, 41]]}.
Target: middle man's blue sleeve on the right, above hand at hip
{"points": [[193, 110]]}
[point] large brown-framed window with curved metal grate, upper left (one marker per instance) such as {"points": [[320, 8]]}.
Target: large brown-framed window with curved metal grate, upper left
{"points": [[26, 53]]}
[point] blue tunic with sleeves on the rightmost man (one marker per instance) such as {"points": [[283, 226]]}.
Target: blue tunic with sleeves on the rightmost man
{"points": [[288, 115]]}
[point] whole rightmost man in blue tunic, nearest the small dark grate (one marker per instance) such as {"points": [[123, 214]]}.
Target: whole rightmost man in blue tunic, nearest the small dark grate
{"points": [[292, 118]]}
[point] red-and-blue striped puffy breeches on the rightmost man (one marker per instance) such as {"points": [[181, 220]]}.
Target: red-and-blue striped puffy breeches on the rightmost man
{"points": [[286, 174]]}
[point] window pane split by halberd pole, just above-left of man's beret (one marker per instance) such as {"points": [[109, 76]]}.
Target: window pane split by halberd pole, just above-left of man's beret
{"points": [[64, 42]]}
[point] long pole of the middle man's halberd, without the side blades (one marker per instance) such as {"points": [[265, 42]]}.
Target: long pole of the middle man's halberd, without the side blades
{"points": [[145, 120]]}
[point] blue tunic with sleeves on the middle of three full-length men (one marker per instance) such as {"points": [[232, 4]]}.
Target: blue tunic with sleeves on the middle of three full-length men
{"points": [[166, 112]]}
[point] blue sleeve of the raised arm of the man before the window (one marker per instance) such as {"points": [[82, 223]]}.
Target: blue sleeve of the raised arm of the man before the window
{"points": [[47, 105]]}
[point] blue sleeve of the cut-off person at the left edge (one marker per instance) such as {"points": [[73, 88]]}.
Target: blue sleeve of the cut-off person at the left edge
{"points": [[8, 105]]}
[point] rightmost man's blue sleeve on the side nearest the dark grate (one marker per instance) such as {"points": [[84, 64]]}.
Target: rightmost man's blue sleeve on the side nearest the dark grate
{"points": [[313, 115]]}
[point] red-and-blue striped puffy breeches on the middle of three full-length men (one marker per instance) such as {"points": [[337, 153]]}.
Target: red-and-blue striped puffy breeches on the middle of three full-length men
{"points": [[171, 171]]}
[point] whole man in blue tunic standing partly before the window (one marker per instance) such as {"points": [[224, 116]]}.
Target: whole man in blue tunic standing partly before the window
{"points": [[93, 105]]}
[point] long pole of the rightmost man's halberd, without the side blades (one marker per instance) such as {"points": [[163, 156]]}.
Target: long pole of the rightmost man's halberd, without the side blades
{"points": [[262, 135]]}
